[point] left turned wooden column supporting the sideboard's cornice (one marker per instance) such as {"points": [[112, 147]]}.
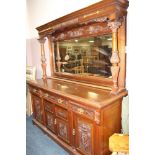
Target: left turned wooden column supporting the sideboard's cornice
{"points": [[43, 59]]}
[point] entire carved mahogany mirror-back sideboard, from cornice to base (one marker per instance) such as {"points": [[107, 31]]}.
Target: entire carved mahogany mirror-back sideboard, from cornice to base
{"points": [[79, 104]]}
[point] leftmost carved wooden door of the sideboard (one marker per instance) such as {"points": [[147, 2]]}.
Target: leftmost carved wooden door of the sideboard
{"points": [[37, 108]]}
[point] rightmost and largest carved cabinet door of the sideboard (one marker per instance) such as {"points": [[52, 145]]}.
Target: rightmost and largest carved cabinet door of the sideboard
{"points": [[84, 135]]}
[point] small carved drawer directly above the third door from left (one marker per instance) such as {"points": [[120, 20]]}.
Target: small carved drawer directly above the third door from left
{"points": [[61, 112]]}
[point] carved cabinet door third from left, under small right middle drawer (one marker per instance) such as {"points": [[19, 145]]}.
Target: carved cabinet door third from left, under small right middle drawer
{"points": [[63, 130]]}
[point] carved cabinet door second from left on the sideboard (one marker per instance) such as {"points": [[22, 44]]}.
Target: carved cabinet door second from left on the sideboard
{"points": [[50, 121]]}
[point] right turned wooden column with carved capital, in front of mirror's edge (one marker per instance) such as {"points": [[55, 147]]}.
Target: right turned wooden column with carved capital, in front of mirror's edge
{"points": [[114, 25]]}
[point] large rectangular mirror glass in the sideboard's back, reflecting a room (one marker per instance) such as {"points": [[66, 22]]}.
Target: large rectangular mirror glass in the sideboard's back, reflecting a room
{"points": [[85, 56]]}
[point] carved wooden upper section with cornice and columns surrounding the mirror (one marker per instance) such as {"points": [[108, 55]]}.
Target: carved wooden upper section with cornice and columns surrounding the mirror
{"points": [[108, 16]]}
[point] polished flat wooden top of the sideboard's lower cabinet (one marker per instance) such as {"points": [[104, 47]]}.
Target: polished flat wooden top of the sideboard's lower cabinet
{"points": [[91, 96]]}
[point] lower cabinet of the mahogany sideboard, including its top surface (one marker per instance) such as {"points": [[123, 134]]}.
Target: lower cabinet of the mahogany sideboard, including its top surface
{"points": [[80, 118]]}
